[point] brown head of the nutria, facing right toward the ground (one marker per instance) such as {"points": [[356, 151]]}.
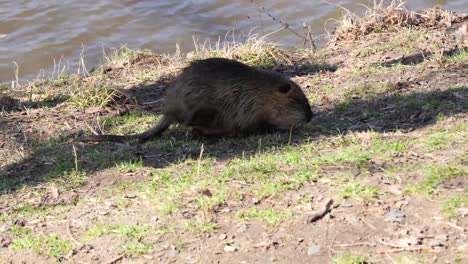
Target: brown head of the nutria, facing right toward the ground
{"points": [[288, 106]]}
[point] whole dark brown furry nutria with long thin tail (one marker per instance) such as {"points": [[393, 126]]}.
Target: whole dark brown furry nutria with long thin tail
{"points": [[221, 97]]}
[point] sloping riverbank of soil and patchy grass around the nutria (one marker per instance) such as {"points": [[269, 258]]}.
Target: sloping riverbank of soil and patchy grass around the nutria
{"points": [[387, 145]]}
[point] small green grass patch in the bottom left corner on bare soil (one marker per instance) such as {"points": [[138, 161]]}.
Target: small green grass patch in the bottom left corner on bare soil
{"points": [[49, 245]]}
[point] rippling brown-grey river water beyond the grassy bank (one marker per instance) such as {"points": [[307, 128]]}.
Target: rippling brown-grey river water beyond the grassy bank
{"points": [[35, 32]]}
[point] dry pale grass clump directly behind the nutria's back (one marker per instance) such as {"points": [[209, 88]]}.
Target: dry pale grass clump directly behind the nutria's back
{"points": [[255, 50]]}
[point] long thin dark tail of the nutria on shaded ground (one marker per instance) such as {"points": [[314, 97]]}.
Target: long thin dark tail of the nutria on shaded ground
{"points": [[156, 130]]}
